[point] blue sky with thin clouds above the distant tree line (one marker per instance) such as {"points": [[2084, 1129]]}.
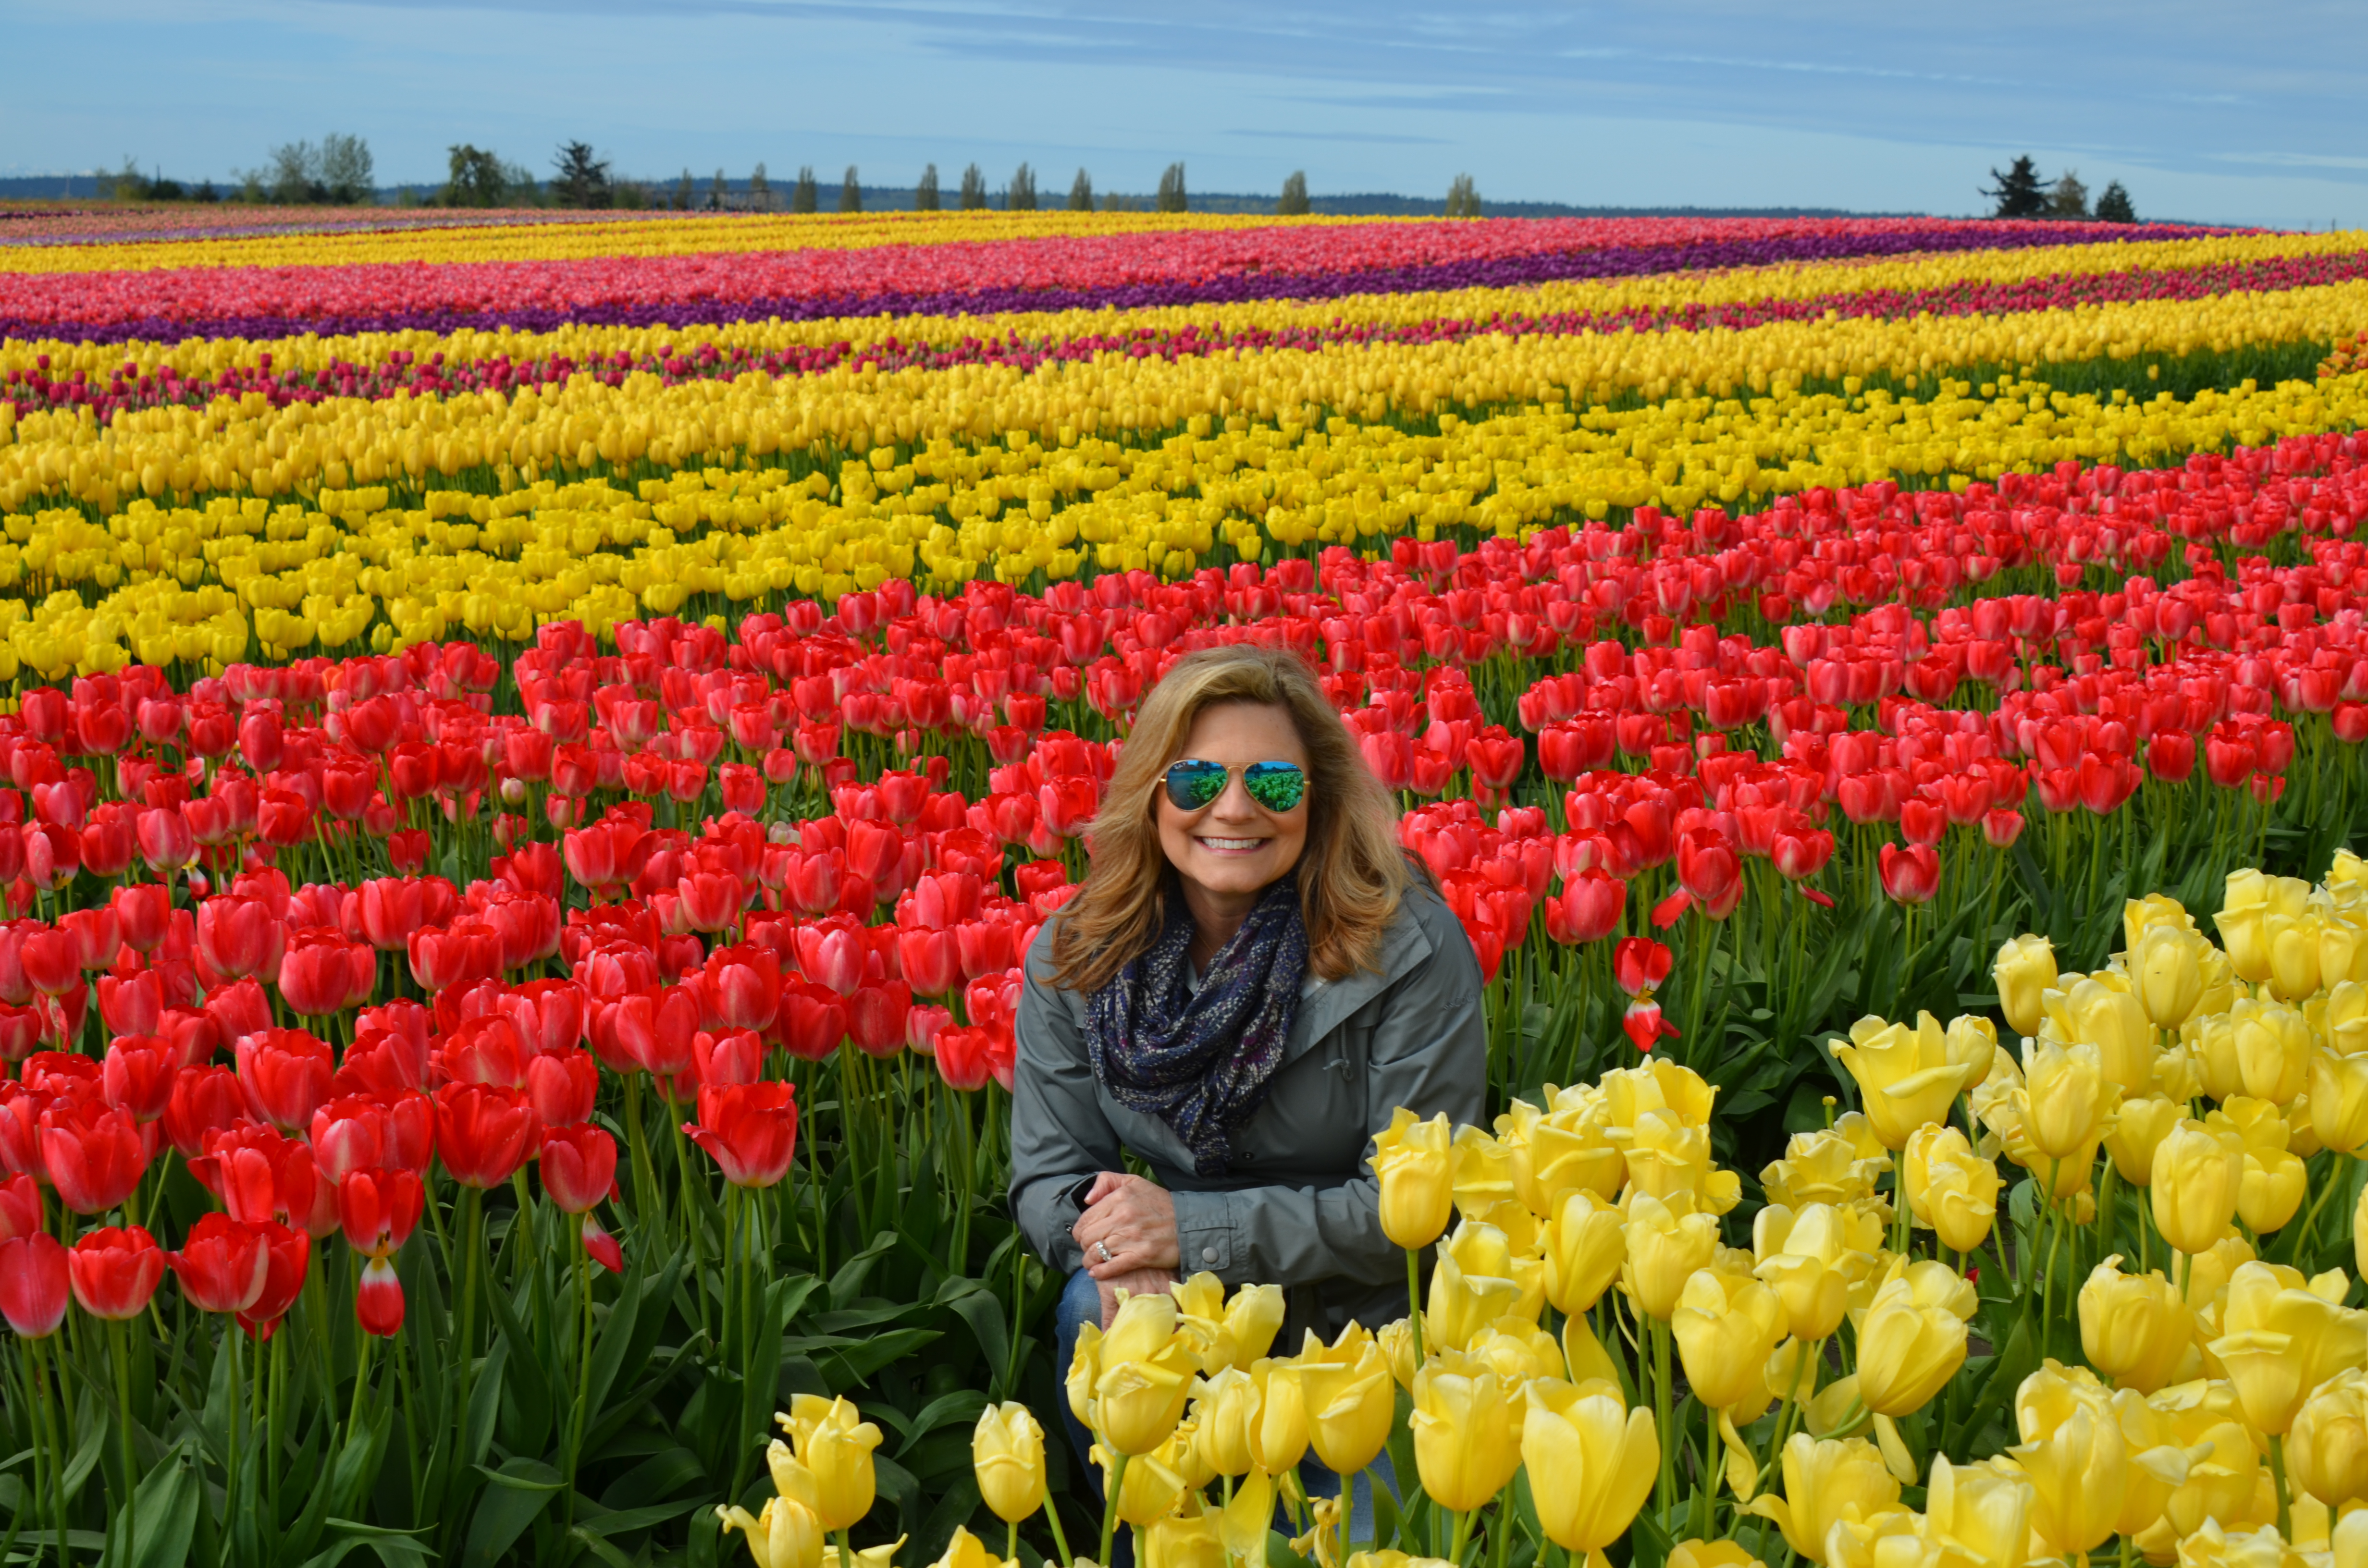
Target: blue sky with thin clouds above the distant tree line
{"points": [[2203, 110]]}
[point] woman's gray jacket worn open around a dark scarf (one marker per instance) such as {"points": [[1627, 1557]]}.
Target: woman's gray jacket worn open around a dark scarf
{"points": [[1301, 1209]]}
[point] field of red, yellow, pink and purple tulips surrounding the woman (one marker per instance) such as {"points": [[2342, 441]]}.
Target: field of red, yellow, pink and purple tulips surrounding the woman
{"points": [[536, 752]]}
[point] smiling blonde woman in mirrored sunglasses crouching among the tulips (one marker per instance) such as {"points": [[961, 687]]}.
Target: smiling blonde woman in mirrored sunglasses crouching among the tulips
{"points": [[1244, 989]]}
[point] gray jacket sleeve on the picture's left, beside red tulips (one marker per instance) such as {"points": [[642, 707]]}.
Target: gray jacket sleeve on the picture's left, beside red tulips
{"points": [[1057, 1124]]}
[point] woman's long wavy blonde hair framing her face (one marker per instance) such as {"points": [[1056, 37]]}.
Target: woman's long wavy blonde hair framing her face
{"points": [[1351, 875]]}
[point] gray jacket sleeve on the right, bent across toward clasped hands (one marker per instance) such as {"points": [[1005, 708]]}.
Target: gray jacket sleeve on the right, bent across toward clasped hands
{"points": [[1427, 1053]]}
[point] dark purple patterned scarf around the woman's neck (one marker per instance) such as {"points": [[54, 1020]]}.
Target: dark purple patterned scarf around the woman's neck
{"points": [[1199, 1060]]}
